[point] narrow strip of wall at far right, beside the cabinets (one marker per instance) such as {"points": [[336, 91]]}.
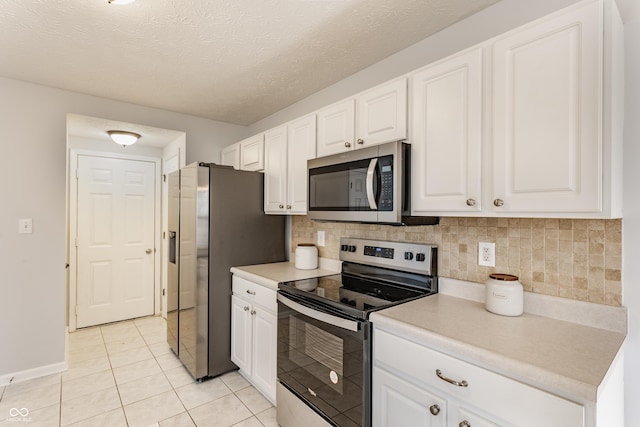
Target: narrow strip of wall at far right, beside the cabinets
{"points": [[631, 221]]}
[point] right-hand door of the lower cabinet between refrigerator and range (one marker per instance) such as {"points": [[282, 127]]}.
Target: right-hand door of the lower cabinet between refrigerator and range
{"points": [[265, 340]]}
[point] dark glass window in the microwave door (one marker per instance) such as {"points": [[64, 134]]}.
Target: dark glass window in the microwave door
{"points": [[343, 187]]}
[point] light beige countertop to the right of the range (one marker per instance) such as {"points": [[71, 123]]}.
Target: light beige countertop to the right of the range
{"points": [[566, 358]]}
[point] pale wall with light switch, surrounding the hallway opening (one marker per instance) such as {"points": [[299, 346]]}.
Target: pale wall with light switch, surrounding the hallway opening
{"points": [[32, 172]]}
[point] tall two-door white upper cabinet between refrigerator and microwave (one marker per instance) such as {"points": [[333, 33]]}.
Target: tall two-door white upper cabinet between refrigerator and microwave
{"points": [[287, 149]]}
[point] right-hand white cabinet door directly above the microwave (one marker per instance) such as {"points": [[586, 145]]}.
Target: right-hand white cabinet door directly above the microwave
{"points": [[382, 114]]}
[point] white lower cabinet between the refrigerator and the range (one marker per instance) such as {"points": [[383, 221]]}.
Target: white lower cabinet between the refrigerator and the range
{"points": [[254, 334]]}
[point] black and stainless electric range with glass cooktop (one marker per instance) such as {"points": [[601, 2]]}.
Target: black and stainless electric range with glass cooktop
{"points": [[324, 333]]}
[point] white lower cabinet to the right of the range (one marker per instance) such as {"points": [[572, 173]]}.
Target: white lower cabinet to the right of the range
{"points": [[416, 385]]}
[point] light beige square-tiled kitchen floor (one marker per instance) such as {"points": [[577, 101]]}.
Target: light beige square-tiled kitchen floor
{"points": [[124, 374]]}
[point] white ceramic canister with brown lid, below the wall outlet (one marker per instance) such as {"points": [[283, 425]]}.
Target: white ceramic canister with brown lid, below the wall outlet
{"points": [[504, 295]]}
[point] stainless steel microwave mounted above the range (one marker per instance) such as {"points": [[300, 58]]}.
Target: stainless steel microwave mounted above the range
{"points": [[369, 185]]}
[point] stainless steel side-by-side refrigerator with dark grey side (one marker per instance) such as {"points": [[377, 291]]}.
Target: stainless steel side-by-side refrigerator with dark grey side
{"points": [[216, 221]]}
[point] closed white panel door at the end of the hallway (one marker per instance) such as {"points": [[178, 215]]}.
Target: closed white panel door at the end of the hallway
{"points": [[115, 239]]}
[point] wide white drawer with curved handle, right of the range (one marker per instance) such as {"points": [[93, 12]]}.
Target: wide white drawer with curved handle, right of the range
{"points": [[508, 399]]}
